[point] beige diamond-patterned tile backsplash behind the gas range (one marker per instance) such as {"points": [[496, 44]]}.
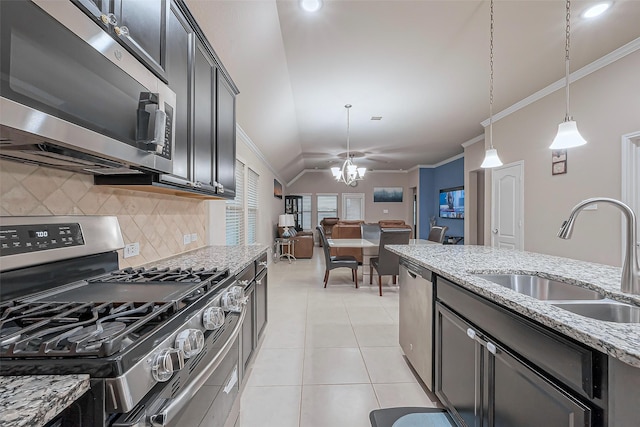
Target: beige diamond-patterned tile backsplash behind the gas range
{"points": [[158, 222]]}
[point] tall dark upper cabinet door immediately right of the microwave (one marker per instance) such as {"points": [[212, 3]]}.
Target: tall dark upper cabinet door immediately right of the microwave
{"points": [[180, 38]]}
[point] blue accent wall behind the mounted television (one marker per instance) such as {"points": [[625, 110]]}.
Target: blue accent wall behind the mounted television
{"points": [[432, 180]]}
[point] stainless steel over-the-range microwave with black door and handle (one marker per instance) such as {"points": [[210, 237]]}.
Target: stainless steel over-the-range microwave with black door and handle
{"points": [[71, 97]]}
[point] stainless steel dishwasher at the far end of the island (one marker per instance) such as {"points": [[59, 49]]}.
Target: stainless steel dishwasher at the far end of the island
{"points": [[416, 319]]}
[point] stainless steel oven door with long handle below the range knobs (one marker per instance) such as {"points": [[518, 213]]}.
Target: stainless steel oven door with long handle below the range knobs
{"points": [[203, 392]]}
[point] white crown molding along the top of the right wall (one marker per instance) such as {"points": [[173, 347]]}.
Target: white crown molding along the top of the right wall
{"points": [[596, 65]]}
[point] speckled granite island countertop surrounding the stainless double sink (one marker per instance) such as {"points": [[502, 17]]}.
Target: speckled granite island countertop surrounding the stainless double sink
{"points": [[459, 263]]}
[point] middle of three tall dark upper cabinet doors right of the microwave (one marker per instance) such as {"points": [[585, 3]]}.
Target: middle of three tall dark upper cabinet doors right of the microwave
{"points": [[203, 146]]}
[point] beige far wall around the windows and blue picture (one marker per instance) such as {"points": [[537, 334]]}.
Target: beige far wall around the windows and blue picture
{"points": [[314, 182]]}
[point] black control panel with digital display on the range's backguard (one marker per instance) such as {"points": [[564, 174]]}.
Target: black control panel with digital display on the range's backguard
{"points": [[19, 239]]}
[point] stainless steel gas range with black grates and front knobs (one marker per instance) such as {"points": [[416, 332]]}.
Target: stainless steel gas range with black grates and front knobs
{"points": [[149, 338]]}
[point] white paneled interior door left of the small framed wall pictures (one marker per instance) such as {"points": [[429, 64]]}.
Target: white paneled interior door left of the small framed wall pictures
{"points": [[507, 207]]}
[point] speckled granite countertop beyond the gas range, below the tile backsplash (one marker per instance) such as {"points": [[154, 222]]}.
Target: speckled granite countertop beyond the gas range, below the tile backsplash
{"points": [[235, 258]]}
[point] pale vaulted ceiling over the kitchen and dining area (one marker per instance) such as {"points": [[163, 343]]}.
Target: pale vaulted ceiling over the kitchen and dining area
{"points": [[423, 66]]}
